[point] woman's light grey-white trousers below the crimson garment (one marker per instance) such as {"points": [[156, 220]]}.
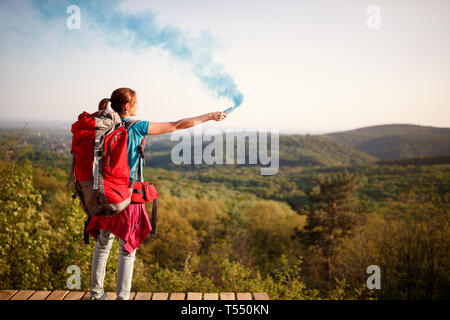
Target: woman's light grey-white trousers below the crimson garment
{"points": [[124, 267]]}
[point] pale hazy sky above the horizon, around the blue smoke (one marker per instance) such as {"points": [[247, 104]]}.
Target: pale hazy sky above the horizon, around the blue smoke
{"points": [[304, 66]]}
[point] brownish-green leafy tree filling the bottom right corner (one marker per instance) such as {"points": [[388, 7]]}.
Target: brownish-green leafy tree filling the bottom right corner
{"points": [[410, 243]]}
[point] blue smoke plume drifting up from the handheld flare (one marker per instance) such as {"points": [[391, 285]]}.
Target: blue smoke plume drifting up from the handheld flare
{"points": [[139, 31]]}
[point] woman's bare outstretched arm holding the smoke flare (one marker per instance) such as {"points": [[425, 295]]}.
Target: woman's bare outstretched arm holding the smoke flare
{"points": [[164, 127]]}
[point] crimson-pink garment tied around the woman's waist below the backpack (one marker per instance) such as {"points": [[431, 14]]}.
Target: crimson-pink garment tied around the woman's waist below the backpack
{"points": [[131, 225]]}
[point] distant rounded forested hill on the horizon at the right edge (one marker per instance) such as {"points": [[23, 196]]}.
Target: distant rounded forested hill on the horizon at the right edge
{"points": [[397, 141]]}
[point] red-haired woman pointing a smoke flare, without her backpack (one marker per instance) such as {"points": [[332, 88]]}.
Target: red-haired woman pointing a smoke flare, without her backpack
{"points": [[132, 225]]}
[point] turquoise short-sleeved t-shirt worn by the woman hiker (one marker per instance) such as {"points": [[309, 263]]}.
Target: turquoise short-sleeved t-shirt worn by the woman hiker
{"points": [[135, 135]]}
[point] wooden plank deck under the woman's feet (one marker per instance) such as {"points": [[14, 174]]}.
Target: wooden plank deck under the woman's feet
{"points": [[73, 295]]}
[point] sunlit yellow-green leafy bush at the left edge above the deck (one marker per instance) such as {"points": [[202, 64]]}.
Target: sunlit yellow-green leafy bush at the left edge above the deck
{"points": [[24, 230]]}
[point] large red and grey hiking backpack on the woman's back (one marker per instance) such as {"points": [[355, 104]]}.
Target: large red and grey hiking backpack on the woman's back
{"points": [[100, 168]]}
